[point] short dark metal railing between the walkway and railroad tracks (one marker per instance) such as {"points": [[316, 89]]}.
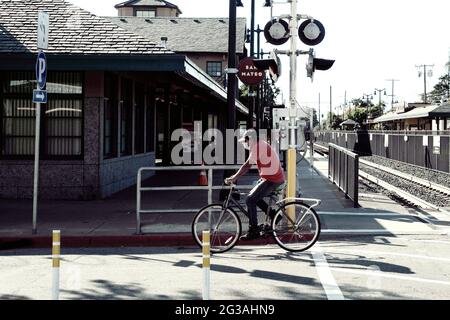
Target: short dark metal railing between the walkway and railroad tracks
{"points": [[343, 170]]}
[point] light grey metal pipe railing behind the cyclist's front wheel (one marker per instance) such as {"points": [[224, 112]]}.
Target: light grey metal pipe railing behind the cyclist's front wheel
{"points": [[209, 188]]}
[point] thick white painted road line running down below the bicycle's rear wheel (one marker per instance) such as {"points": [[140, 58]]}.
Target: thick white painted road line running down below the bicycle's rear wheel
{"points": [[326, 277]]}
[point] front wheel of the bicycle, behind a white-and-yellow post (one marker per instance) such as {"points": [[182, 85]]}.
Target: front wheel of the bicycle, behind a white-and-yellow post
{"points": [[223, 224]]}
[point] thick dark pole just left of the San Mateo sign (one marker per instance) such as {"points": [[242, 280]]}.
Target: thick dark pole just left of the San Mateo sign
{"points": [[232, 71]]}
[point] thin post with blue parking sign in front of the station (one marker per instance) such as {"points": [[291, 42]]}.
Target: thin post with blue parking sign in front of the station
{"points": [[39, 96]]}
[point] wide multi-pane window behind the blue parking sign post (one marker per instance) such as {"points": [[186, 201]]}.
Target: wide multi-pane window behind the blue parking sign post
{"points": [[61, 119]]}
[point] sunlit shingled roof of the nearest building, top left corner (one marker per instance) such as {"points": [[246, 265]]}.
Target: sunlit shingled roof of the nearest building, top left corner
{"points": [[72, 31]]}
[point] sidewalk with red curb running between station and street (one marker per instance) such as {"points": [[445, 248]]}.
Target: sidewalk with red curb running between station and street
{"points": [[112, 222]]}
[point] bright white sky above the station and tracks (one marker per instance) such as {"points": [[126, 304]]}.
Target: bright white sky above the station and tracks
{"points": [[371, 41]]}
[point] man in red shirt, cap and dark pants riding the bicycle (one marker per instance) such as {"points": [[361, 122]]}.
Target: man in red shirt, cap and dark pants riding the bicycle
{"points": [[271, 174]]}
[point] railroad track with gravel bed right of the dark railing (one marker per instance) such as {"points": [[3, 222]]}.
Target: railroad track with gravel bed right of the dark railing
{"points": [[408, 187]]}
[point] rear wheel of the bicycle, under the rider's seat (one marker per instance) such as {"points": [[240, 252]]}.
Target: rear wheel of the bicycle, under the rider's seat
{"points": [[296, 227]]}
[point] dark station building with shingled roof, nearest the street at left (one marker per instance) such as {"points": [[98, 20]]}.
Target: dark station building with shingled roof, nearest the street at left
{"points": [[114, 99]]}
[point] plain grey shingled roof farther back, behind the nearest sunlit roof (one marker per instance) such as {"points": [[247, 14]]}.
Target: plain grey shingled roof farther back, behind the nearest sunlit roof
{"points": [[186, 34]]}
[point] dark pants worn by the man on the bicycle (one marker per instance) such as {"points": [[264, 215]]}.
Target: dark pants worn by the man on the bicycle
{"points": [[255, 198]]}
